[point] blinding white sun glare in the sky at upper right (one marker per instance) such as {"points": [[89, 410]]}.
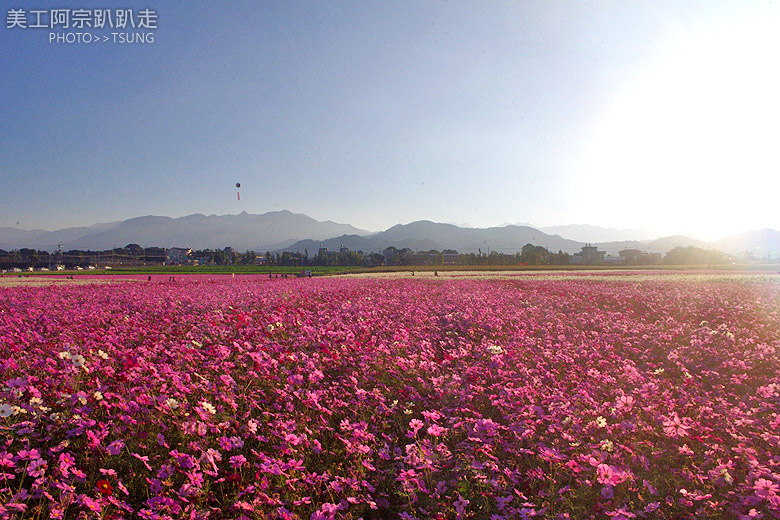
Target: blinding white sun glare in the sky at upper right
{"points": [[691, 143]]}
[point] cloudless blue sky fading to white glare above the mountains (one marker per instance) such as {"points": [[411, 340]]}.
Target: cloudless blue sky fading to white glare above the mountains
{"points": [[662, 115]]}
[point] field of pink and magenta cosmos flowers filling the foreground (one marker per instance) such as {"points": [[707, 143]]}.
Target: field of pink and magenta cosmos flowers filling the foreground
{"points": [[521, 397]]}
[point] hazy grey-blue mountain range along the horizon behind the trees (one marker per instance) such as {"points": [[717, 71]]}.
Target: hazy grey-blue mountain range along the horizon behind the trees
{"points": [[284, 230]]}
